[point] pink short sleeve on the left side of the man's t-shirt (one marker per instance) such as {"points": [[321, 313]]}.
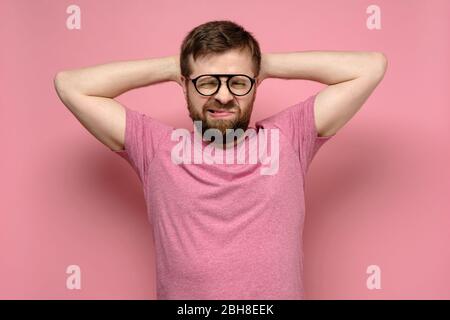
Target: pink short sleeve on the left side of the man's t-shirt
{"points": [[143, 136]]}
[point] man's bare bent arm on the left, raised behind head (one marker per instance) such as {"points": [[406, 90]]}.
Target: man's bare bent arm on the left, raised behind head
{"points": [[89, 92]]}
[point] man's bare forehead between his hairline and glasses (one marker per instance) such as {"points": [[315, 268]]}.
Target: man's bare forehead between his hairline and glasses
{"points": [[232, 61]]}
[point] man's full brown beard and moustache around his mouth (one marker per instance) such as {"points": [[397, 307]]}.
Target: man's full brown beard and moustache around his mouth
{"points": [[240, 119]]}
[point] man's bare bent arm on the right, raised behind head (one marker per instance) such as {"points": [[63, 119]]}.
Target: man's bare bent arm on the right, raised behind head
{"points": [[351, 77]]}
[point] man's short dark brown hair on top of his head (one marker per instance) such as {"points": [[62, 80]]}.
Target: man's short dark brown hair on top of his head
{"points": [[216, 37]]}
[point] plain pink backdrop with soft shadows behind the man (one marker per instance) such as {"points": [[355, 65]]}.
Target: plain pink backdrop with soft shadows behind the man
{"points": [[378, 193]]}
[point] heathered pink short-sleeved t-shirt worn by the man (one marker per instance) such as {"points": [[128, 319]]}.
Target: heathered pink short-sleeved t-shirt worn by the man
{"points": [[226, 231]]}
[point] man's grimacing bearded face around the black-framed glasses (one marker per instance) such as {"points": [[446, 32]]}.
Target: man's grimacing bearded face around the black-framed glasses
{"points": [[239, 108]]}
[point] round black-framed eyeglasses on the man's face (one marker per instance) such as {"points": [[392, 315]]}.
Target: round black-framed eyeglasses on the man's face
{"points": [[209, 84]]}
